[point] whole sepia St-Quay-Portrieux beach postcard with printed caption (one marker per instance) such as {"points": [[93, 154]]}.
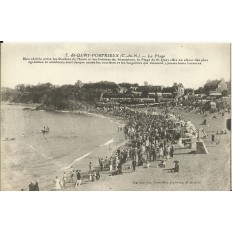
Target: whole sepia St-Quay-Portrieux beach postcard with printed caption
{"points": [[115, 116]]}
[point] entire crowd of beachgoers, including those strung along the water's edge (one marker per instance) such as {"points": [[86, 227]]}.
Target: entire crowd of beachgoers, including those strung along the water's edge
{"points": [[151, 137]]}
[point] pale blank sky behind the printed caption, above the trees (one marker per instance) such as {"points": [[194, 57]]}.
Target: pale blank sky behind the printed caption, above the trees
{"points": [[16, 71]]}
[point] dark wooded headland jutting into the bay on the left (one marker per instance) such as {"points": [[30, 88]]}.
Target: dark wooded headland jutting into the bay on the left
{"points": [[65, 97]]}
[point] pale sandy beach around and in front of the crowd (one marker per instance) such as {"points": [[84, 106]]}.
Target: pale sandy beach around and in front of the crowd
{"points": [[197, 171]]}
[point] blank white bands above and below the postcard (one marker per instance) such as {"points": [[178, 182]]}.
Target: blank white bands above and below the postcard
{"points": [[115, 21]]}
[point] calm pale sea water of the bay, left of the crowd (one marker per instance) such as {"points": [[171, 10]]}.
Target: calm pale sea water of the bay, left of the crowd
{"points": [[73, 140]]}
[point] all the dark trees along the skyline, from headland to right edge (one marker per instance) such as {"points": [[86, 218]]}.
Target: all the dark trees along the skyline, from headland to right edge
{"points": [[83, 95]]}
